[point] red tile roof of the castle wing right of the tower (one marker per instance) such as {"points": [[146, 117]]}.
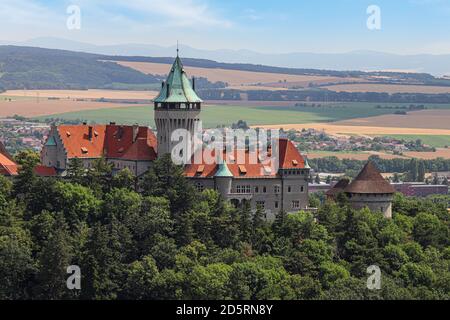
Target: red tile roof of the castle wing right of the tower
{"points": [[290, 158]]}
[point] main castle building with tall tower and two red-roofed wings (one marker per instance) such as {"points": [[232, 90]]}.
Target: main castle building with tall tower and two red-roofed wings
{"points": [[178, 107]]}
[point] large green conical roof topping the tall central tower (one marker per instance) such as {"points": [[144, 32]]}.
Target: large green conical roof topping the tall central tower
{"points": [[180, 88]]}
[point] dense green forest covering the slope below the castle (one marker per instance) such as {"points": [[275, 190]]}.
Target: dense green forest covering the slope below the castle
{"points": [[171, 242]]}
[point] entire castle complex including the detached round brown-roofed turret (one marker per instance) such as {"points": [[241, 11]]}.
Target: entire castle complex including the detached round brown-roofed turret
{"points": [[237, 174]]}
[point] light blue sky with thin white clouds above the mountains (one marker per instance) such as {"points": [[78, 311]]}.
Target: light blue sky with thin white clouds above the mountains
{"points": [[407, 26]]}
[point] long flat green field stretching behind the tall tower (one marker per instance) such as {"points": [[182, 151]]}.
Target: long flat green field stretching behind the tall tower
{"points": [[216, 115]]}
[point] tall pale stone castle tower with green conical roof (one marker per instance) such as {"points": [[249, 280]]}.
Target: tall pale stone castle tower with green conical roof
{"points": [[176, 107]]}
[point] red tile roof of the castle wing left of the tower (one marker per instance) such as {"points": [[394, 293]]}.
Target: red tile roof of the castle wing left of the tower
{"points": [[111, 141]]}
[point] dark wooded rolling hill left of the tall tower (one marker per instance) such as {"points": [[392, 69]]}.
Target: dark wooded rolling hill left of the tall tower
{"points": [[37, 68]]}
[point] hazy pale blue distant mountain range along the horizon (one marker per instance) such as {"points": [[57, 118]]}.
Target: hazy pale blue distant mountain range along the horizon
{"points": [[437, 65]]}
